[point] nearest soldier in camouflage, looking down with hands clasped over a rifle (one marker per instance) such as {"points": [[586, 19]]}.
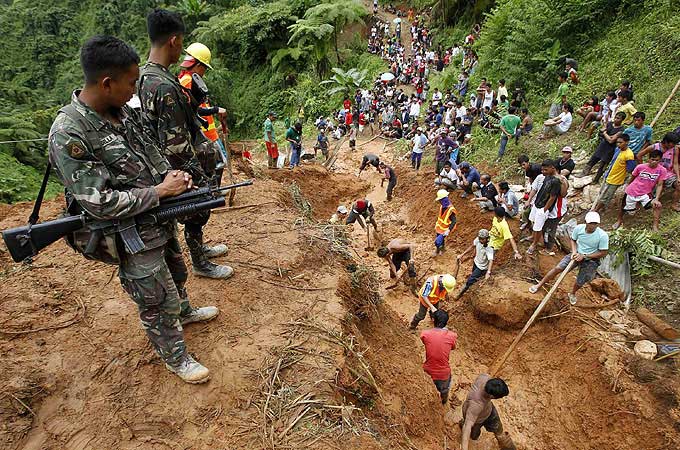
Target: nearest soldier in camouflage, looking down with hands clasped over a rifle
{"points": [[113, 170]]}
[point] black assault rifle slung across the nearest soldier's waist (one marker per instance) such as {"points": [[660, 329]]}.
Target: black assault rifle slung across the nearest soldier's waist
{"points": [[25, 242]]}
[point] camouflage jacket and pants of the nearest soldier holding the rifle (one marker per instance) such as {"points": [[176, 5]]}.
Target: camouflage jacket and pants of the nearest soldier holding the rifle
{"points": [[110, 171]]}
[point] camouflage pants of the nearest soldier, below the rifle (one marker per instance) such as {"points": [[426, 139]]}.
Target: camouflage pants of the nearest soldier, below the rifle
{"points": [[155, 280]]}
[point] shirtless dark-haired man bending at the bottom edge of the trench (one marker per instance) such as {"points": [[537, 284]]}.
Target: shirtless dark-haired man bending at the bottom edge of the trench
{"points": [[478, 412]]}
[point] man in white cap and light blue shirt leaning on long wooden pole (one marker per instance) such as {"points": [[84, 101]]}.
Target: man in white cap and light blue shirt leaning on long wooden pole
{"points": [[589, 244]]}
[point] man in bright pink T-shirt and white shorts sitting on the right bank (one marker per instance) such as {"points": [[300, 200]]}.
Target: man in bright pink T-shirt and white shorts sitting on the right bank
{"points": [[646, 177]]}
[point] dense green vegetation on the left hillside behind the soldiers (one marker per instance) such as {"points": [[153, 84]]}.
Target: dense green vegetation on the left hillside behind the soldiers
{"points": [[267, 55]]}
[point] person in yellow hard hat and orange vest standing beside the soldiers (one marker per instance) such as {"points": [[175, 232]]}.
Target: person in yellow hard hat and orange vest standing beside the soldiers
{"points": [[197, 61]]}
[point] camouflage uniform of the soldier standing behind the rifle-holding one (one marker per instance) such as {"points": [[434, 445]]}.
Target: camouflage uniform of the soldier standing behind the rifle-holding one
{"points": [[167, 110]]}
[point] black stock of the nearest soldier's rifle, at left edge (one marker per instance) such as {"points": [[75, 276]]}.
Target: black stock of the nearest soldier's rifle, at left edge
{"points": [[25, 242]]}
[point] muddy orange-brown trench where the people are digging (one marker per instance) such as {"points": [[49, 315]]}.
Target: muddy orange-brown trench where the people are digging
{"points": [[568, 389]]}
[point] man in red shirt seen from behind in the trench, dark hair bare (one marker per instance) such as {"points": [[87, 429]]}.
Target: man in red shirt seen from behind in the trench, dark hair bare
{"points": [[439, 341]]}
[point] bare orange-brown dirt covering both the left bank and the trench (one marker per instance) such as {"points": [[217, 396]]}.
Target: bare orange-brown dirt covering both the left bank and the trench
{"points": [[94, 370]]}
